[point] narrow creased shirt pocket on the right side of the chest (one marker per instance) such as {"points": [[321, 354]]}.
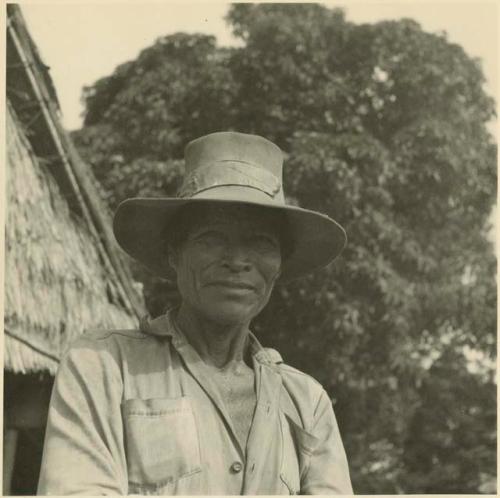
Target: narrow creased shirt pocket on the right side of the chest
{"points": [[297, 448]]}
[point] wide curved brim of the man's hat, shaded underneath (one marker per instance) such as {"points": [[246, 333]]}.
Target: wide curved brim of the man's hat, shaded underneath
{"points": [[139, 227]]}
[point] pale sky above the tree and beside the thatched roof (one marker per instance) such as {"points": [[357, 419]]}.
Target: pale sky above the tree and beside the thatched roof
{"points": [[82, 42]]}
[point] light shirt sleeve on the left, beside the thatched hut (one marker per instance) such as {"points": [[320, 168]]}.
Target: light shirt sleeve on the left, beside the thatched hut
{"points": [[83, 452]]}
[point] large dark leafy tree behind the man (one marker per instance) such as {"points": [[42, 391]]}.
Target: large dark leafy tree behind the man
{"points": [[384, 129]]}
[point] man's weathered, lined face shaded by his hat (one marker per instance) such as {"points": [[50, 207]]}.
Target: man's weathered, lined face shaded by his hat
{"points": [[228, 264]]}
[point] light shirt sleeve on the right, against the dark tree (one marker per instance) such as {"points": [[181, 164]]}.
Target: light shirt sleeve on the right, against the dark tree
{"points": [[328, 471]]}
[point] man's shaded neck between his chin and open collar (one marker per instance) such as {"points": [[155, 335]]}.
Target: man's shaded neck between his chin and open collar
{"points": [[219, 345]]}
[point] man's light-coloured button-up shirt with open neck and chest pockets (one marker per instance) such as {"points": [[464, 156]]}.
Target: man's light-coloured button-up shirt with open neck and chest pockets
{"points": [[136, 412]]}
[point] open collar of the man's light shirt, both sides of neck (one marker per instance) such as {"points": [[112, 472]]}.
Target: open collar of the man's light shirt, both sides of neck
{"points": [[163, 326]]}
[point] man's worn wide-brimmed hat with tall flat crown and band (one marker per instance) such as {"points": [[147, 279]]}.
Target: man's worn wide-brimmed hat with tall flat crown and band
{"points": [[226, 168]]}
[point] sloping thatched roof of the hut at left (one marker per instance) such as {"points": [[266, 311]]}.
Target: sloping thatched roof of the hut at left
{"points": [[63, 270]]}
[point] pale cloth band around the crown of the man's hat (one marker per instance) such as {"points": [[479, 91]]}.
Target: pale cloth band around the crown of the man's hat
{"points": [[230, 172]]}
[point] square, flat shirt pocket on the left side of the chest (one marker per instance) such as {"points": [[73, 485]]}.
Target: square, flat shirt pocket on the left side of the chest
{"points": [[161, 441]]}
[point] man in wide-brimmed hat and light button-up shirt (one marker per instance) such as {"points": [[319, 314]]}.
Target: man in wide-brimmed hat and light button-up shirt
{"points": [[191, 403]]}
